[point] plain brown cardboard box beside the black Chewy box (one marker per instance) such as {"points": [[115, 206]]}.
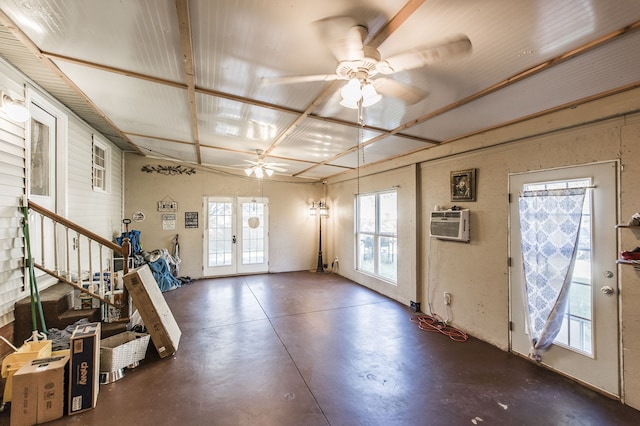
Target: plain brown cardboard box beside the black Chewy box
{"points": [[38, 391]]}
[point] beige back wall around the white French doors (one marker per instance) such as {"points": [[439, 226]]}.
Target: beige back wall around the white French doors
{"points": [[292, 233]]}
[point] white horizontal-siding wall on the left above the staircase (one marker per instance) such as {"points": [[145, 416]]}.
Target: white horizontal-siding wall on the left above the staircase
{"points": [[98, 211]]}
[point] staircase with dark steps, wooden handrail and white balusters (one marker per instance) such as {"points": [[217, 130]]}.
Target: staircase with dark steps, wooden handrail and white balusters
{"points": [[77, 252]]}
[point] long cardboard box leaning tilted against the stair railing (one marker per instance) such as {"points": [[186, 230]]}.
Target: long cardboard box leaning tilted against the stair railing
{"points": [[153, 309]]}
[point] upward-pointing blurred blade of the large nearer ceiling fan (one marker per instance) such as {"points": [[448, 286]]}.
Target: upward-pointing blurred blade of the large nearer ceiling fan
{"points": [[343, 36]]}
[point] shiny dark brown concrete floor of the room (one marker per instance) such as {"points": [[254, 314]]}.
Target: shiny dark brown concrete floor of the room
{"points": [[315, 349]]}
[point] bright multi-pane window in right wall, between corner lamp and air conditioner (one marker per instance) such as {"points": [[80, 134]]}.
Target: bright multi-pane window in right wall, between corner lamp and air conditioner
{"points": [[377, 235]]}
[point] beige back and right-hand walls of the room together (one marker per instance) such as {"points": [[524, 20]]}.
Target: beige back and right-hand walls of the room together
{"points": [[476, 274]]}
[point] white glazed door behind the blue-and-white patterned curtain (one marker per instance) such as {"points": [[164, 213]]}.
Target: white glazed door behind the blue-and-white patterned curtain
{"points": [[588, 344]]}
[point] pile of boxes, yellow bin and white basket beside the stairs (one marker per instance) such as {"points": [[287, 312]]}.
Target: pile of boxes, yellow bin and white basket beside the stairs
{"points": [[47, 379]]}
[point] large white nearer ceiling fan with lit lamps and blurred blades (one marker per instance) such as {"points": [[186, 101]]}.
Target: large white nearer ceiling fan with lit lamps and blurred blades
{"points": [[358, 63]]}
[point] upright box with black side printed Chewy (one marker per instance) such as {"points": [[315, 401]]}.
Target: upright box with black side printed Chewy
{"points": [[84, 368]]}
